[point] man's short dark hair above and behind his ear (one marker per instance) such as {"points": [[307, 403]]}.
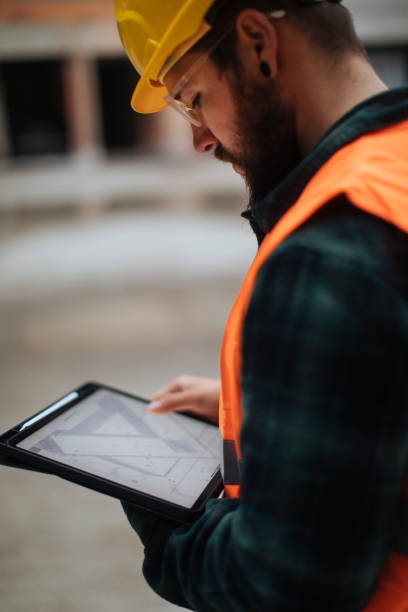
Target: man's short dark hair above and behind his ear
{"points": [[327, 25]]}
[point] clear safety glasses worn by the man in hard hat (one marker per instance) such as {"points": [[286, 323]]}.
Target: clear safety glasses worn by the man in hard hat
{"points": [[173, 99]]}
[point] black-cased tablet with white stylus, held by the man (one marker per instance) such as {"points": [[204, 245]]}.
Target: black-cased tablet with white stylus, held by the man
{"points": [[107, 440]]}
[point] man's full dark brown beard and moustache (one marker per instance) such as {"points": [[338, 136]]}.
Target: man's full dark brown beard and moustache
{"points": [[265, 131]]}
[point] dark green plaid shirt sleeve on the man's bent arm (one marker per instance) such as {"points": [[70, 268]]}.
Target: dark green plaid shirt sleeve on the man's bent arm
{"points": [[324, 451]]}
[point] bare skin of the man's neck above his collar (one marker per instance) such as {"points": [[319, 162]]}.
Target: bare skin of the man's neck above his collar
{"points": [[328, 92]]}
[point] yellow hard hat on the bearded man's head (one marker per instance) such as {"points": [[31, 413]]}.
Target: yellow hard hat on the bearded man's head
{"points": [[156, 34]]}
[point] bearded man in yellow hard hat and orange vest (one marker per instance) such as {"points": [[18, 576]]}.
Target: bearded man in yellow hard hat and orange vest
{"points": [[314, 359]]}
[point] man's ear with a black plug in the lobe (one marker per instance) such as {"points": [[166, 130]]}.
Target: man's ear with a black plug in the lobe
{"points": [[257, 42]]}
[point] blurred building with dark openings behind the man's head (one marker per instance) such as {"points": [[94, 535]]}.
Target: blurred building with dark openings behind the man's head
{"points": [[65, 86]]}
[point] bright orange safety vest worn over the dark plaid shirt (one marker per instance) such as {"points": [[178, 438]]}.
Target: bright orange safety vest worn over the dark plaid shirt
{"points": [[372, 172]]}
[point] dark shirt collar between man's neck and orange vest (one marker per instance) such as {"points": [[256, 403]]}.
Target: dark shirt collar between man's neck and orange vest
{"points": [[375, 113]]}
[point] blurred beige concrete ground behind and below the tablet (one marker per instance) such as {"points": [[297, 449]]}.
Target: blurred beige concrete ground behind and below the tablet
{"points": [[64, 548]]}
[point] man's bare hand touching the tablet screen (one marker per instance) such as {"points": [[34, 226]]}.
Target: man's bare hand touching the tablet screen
{"points": [[193, 394]]}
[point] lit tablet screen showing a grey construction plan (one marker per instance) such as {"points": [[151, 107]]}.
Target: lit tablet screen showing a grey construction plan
{"points": [[170, 456]]}
